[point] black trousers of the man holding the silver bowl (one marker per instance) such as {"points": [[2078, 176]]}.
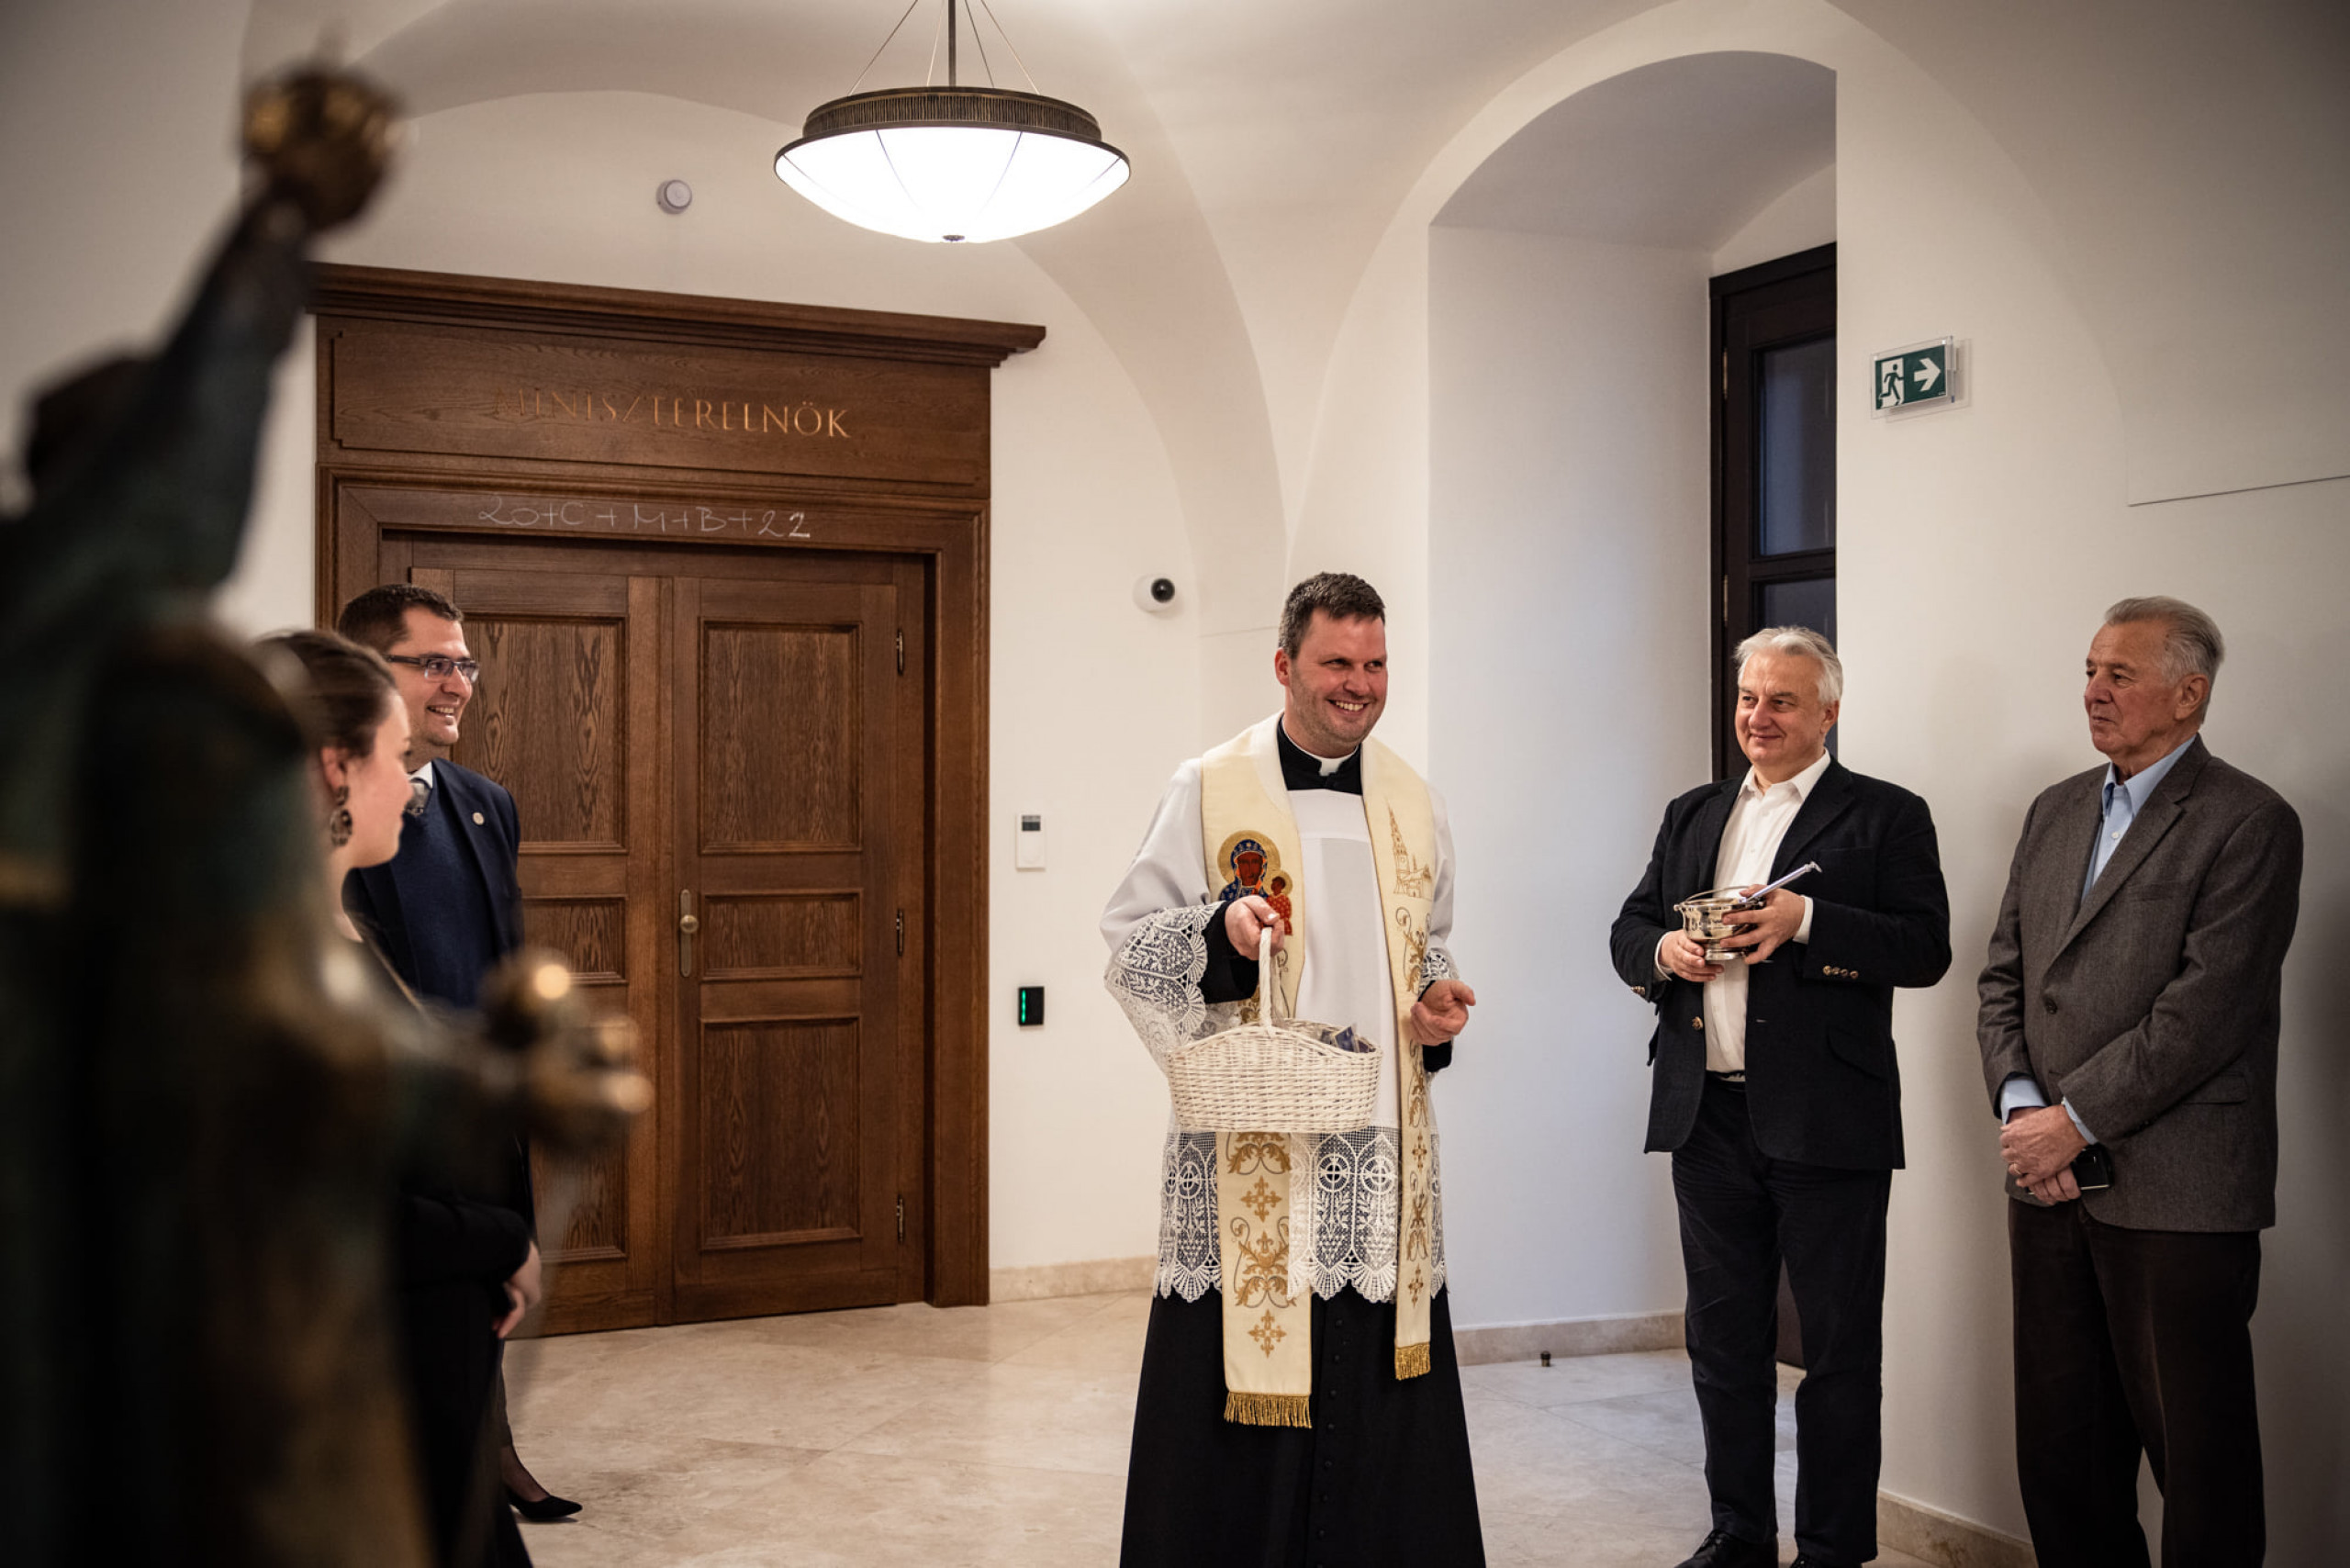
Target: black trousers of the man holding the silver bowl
{"points": [[1740, 1217]]}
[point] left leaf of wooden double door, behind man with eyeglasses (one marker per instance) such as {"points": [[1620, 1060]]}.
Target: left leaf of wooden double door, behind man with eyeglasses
{"points": [[568, 721]]}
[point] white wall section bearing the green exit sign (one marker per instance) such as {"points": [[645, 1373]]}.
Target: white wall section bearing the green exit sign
{"points": [[1978, 551]]}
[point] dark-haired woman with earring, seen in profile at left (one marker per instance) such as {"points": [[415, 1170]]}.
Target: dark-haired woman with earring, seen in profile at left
{"points": [[466, 1268]]}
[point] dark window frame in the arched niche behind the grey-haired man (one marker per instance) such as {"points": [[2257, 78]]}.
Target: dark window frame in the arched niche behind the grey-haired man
{"points": [[1752, 311]]}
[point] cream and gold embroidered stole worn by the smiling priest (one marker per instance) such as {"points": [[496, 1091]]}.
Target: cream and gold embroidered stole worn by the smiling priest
{"points": [[1251, 845]]}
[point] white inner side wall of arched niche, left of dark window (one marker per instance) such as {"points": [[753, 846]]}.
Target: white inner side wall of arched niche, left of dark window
{"points": [[1569, 587]]}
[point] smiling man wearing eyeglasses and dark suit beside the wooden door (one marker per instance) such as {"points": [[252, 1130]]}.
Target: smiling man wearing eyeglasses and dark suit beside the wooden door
{"points": [[448, 909]]}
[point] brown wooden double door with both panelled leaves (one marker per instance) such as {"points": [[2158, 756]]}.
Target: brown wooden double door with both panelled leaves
{"points": [[718, 760]]}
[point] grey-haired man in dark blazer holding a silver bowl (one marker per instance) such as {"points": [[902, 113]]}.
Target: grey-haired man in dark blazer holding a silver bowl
{"points": [[1778, 1094]]}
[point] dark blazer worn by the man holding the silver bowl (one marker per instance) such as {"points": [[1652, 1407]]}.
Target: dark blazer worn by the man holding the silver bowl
{"points": [[1822, 1083]]}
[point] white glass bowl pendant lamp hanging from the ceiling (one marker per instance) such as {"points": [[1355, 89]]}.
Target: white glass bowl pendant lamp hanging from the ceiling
{"points": [[953, 163]]}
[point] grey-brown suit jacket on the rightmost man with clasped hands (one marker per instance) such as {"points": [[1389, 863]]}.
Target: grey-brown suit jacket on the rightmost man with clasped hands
{"points": [[2151, 1005]]}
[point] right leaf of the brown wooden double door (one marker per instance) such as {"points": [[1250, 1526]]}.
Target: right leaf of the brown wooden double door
{"points": [[788, 862]]}
